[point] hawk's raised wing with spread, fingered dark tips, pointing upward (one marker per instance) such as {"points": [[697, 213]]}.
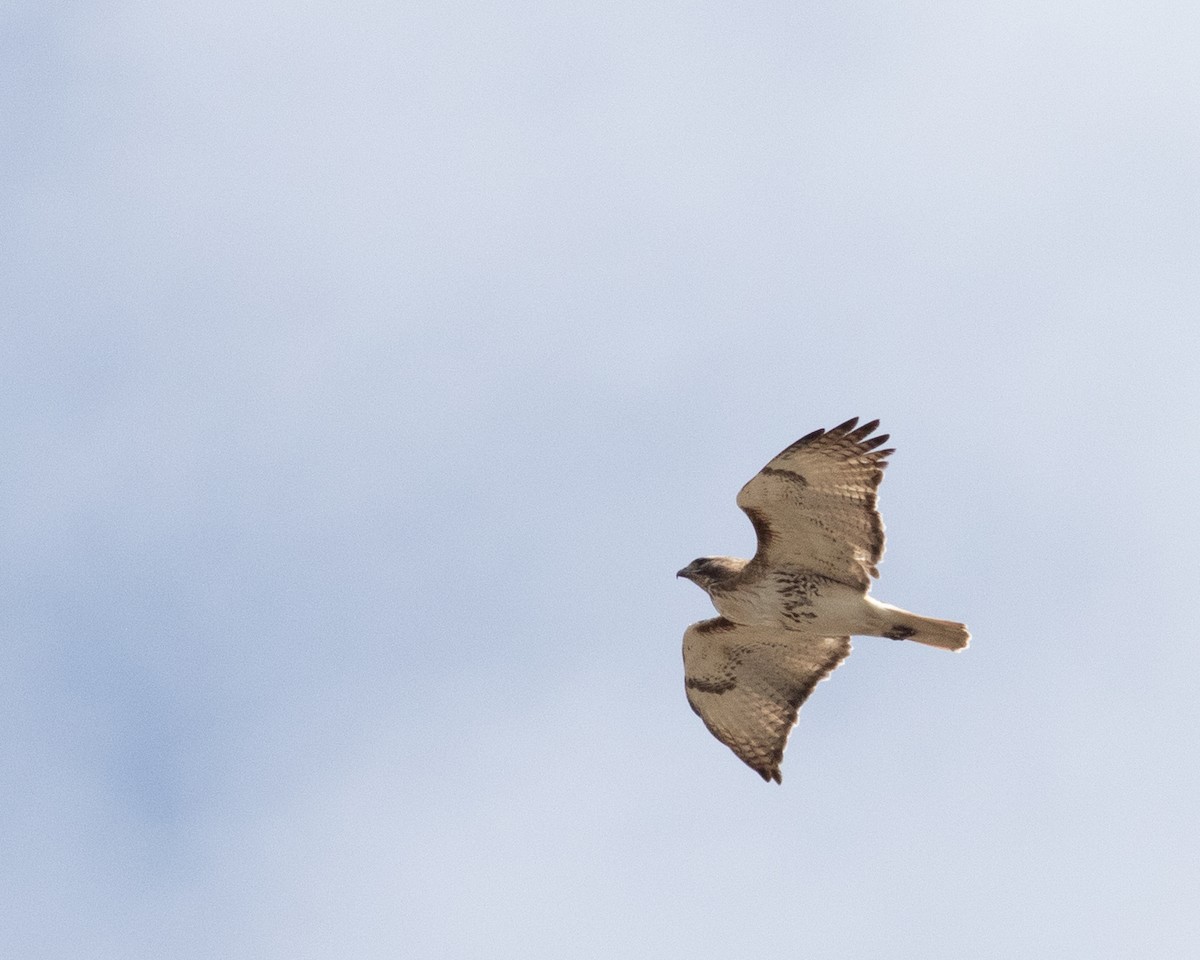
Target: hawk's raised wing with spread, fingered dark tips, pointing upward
{"points": [[814, 506]]}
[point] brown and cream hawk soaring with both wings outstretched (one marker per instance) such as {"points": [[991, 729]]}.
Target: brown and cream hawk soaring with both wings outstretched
{"points": [[788, 614]]}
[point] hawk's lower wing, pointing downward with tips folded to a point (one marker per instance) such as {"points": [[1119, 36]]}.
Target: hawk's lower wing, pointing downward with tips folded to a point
{"points": [[748, 683]]}
